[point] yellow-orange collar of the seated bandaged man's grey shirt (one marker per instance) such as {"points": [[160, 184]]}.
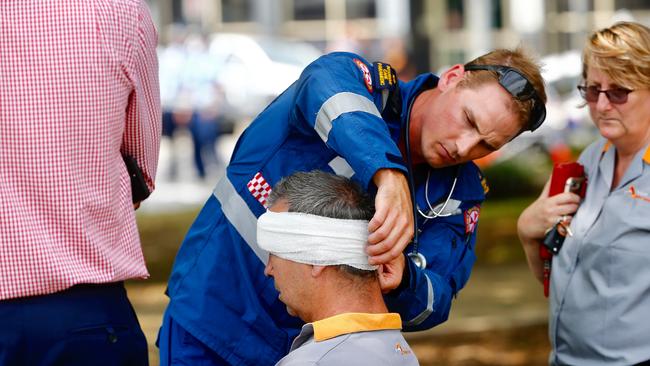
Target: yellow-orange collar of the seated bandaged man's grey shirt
{"points": [[353, 323]]}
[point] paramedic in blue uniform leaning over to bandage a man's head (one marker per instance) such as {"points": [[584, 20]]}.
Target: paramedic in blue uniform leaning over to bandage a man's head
{"points": [[354, 118]]}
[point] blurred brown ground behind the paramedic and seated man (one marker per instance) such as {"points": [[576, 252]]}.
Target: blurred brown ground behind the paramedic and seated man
{"points": [[499, 306]]}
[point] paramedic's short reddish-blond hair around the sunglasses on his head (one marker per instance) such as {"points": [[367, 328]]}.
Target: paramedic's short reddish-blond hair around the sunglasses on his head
{"points": [[517, 59]]}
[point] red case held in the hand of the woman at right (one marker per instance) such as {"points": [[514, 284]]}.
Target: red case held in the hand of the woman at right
{"points": [[566, 177]]}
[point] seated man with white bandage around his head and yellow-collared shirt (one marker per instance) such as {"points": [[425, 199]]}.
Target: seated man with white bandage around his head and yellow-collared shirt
{"points": [[316, 231]]}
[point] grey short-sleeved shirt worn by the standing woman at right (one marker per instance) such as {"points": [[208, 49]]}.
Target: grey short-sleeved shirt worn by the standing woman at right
{"points": [[600, 282]]}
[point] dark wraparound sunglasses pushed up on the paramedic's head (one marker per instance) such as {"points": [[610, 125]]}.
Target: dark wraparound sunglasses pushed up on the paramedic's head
{"points": [[519, 87]]}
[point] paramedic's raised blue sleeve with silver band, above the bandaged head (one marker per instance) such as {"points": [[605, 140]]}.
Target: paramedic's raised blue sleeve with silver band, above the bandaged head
{"points": [[333, 103]]}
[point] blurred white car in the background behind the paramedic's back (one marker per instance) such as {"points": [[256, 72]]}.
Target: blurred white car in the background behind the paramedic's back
{"points": [[253, 71]]}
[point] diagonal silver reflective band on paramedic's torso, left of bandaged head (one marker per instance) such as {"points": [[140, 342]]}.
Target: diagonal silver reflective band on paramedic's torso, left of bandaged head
{"points": [[239, 215]]}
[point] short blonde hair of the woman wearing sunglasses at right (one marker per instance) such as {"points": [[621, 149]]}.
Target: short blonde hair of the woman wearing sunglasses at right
{"points": [[622, 52]]}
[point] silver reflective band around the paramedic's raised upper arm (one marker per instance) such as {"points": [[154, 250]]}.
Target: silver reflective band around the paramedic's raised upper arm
{"points": [[339, 104]]}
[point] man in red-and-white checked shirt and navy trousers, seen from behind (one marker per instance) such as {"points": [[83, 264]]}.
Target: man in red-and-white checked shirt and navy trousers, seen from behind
{"points": [[79, 91]]}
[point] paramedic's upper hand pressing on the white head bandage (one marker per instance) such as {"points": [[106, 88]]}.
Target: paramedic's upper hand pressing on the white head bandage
{"points": [[391, 229]]}
